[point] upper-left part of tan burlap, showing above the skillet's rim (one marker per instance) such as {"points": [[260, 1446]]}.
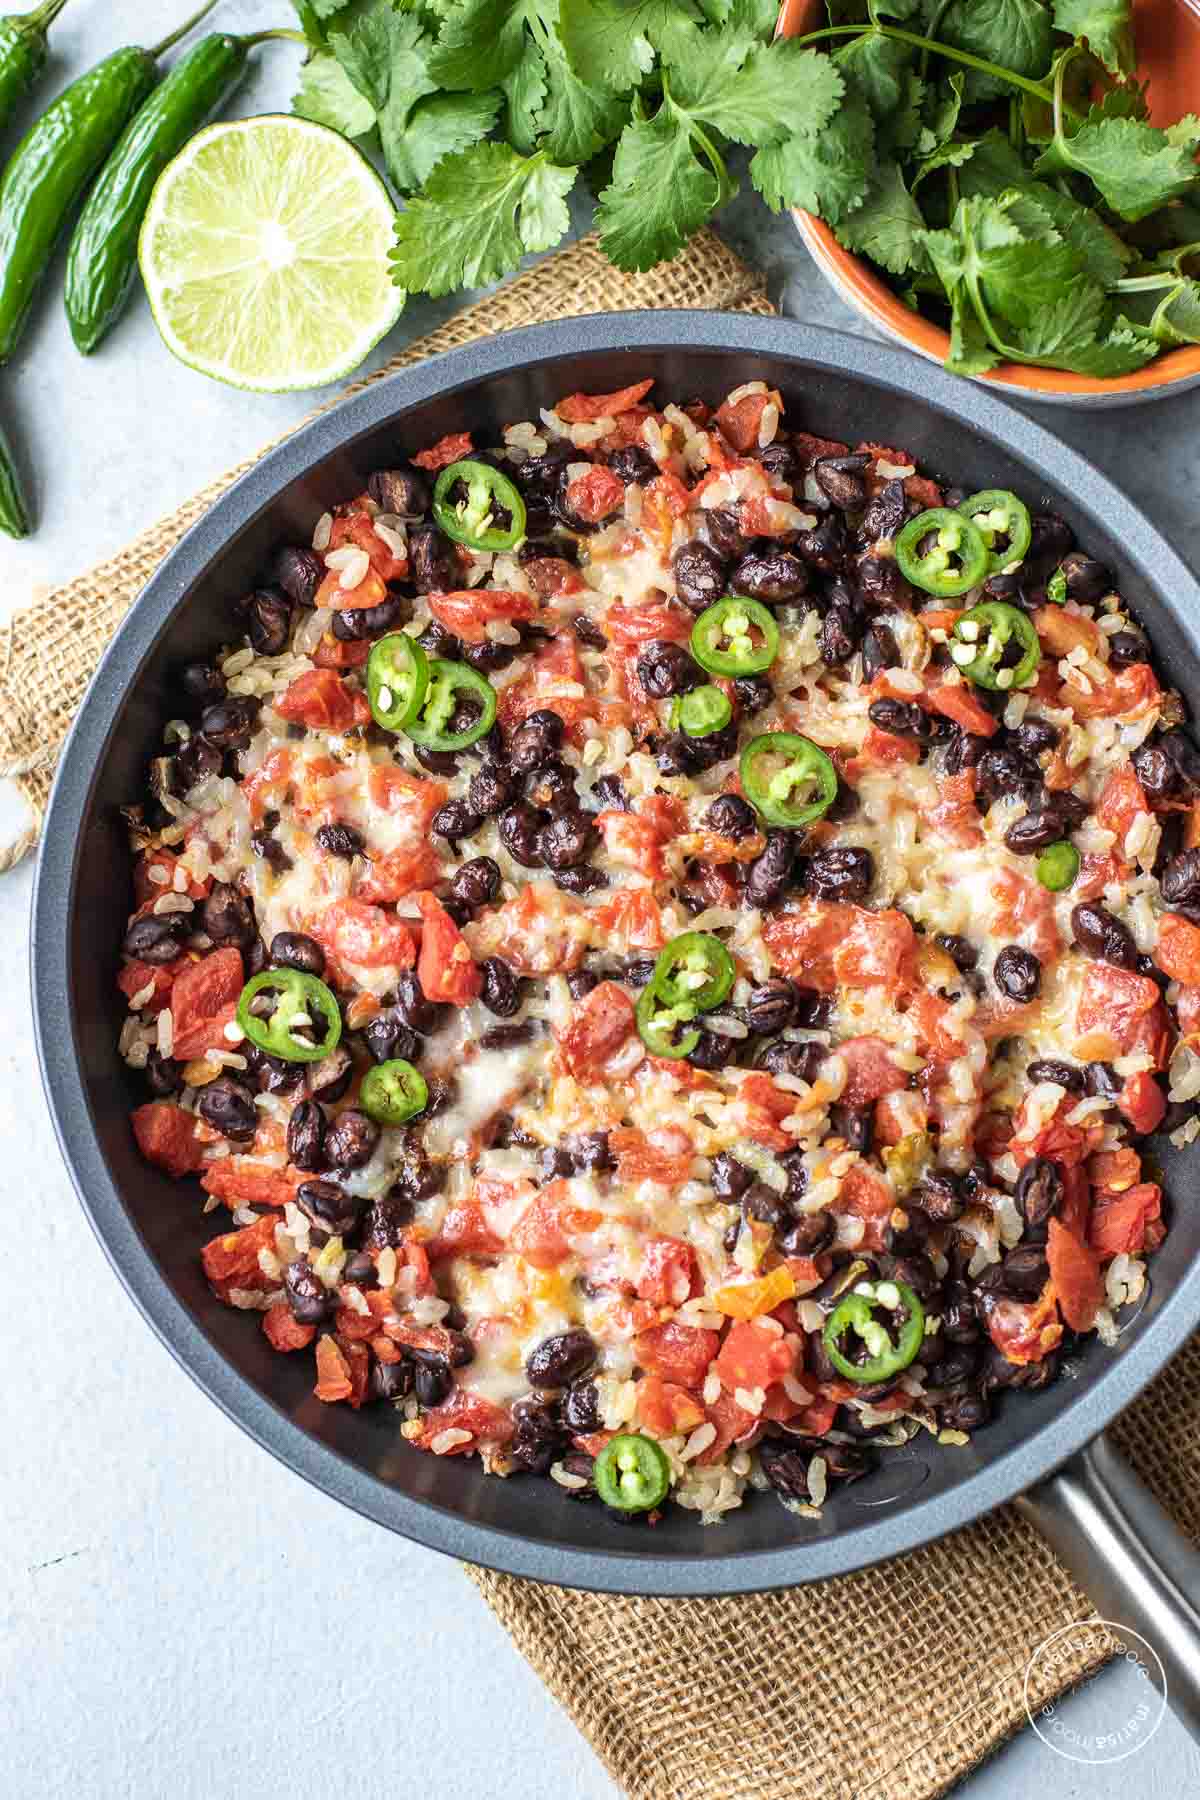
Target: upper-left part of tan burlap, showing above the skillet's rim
{"points": [[51, 649]]}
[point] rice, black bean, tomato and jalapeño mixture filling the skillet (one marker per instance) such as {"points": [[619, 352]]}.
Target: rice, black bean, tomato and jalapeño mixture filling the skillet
{"points": [[667, 935]]}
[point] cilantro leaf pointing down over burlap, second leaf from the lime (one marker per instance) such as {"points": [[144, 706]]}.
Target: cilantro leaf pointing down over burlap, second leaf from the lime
{"points": [[659, 193]]}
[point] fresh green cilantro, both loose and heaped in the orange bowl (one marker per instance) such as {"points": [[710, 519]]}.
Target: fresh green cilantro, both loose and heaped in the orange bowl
{"points": [[992, 157]]}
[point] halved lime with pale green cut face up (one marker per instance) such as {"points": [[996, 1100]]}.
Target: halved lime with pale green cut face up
{"points": [[265, 255]]}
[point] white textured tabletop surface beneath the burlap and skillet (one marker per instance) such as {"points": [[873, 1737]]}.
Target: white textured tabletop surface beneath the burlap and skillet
{"points": [[179, 1615]]}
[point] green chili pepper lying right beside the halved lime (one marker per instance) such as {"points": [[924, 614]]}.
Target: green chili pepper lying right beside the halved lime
{"points": [[103, 251]]}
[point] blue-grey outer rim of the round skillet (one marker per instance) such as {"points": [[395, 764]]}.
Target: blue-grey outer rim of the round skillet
{"points": [[704, 1572]]}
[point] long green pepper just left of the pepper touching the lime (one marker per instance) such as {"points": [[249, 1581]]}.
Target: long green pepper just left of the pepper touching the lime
{"points": [[55, 163]]}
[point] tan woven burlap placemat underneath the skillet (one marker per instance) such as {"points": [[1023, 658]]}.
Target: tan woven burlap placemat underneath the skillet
{"points": [[884, 1686]]}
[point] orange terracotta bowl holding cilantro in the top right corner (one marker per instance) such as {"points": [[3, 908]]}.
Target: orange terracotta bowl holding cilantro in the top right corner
{"points": [[1169, 40]]}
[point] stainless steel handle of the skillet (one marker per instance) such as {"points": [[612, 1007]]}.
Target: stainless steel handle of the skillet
{"points": [[1131, 1560]]}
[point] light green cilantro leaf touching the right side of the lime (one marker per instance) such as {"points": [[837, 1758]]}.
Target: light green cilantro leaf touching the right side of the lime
{"points": [[481, 211]]}
